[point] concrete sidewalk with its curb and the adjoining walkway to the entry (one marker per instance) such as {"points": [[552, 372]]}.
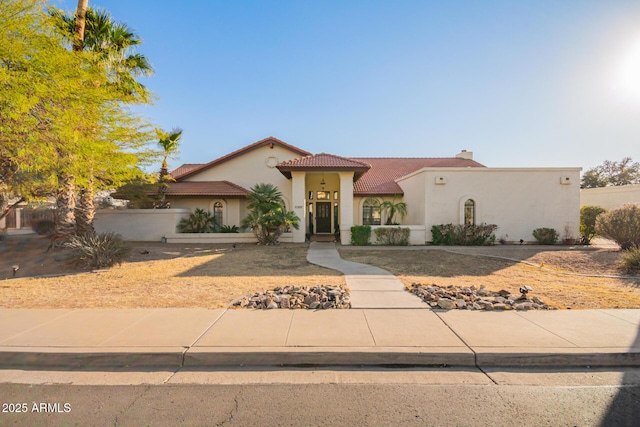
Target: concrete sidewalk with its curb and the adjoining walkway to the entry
{"points": [[387, 326]]}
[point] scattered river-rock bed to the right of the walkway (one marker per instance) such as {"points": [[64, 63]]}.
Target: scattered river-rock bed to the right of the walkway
{"points": [[472, 298]]}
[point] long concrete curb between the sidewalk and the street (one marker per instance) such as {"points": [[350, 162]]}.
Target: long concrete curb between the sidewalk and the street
{"points": [[151, 359]]}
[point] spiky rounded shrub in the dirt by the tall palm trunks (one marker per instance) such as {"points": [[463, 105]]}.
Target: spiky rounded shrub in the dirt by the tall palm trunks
{"points": [[98, 250]]}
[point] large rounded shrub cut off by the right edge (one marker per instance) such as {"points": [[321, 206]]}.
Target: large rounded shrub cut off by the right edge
{"points": [[621, 225]]}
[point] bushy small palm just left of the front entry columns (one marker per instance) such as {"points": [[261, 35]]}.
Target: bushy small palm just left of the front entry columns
{"points": [[268, 217]]}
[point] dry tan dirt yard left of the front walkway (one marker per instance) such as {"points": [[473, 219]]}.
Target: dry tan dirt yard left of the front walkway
{"points": [[207, 276]]}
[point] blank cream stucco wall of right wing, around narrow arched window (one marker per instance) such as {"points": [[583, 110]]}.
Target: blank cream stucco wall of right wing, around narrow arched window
{"points": [[517, 200]]}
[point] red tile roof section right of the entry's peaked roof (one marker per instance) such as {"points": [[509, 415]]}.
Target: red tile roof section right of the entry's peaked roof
{"points": [[380, 179]]}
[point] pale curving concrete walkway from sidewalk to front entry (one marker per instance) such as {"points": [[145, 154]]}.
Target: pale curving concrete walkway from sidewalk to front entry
{"points": [[370, 287]]}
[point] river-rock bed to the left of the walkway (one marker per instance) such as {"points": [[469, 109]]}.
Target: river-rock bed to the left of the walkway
{"points": [[296, 297]]}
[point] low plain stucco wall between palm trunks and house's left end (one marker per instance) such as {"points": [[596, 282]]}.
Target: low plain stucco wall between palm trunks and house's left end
{"points": [[146, 225]]}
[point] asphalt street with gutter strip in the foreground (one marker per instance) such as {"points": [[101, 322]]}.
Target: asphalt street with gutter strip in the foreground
{"points": [[323, 397]]}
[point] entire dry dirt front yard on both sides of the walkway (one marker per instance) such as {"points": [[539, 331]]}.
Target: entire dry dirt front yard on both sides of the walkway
{"points": [[165, 275]]}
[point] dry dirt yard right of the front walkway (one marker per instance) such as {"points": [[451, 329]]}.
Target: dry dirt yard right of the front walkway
{"points": [[554, 283]]}
